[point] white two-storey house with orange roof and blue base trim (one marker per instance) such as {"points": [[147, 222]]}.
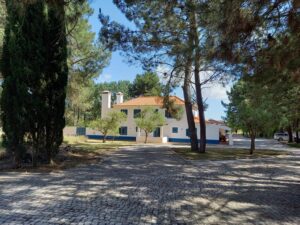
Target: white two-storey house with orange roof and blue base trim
{"points": [[173, 131]]}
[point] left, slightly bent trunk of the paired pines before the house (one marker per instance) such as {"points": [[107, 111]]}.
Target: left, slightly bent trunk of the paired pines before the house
{"points": [[189, 107]]}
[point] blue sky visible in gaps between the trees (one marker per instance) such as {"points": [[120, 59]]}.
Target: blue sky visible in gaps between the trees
{"points": [[118, 69]]}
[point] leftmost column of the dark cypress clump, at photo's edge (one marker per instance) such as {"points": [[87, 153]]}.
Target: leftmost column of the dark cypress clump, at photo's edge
{"points": [[14, 88]]}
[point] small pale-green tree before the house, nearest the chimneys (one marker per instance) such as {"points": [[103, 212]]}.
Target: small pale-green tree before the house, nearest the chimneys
{"points": [[109, 124]]}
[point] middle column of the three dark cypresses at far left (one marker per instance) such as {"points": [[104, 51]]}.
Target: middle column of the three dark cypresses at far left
{"points": [[34, 54]]}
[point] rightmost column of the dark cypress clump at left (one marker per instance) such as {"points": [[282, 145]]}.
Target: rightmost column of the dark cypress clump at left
{"points": [[56, 77]]}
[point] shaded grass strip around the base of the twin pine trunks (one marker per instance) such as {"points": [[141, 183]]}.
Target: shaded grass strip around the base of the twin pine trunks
{"points": [[226, 154]]}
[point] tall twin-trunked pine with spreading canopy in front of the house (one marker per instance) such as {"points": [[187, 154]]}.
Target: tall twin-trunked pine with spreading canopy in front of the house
{"points": [[168, 34]]}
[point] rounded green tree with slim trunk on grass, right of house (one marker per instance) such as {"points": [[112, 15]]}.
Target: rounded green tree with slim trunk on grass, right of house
{"points": [[249, 109]]}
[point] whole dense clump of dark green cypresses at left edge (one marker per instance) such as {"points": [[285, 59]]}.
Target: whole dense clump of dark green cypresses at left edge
{"points": [[35, 72]]}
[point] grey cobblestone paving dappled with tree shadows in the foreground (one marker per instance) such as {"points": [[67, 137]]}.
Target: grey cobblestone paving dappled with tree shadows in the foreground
{"points": [[143, 185]]}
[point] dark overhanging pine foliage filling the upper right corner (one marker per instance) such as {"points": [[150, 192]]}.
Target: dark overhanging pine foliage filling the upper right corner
{"points": [[263, 38]]}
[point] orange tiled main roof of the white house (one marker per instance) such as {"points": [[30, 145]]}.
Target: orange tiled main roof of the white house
{"points": [[149, 101]]}
